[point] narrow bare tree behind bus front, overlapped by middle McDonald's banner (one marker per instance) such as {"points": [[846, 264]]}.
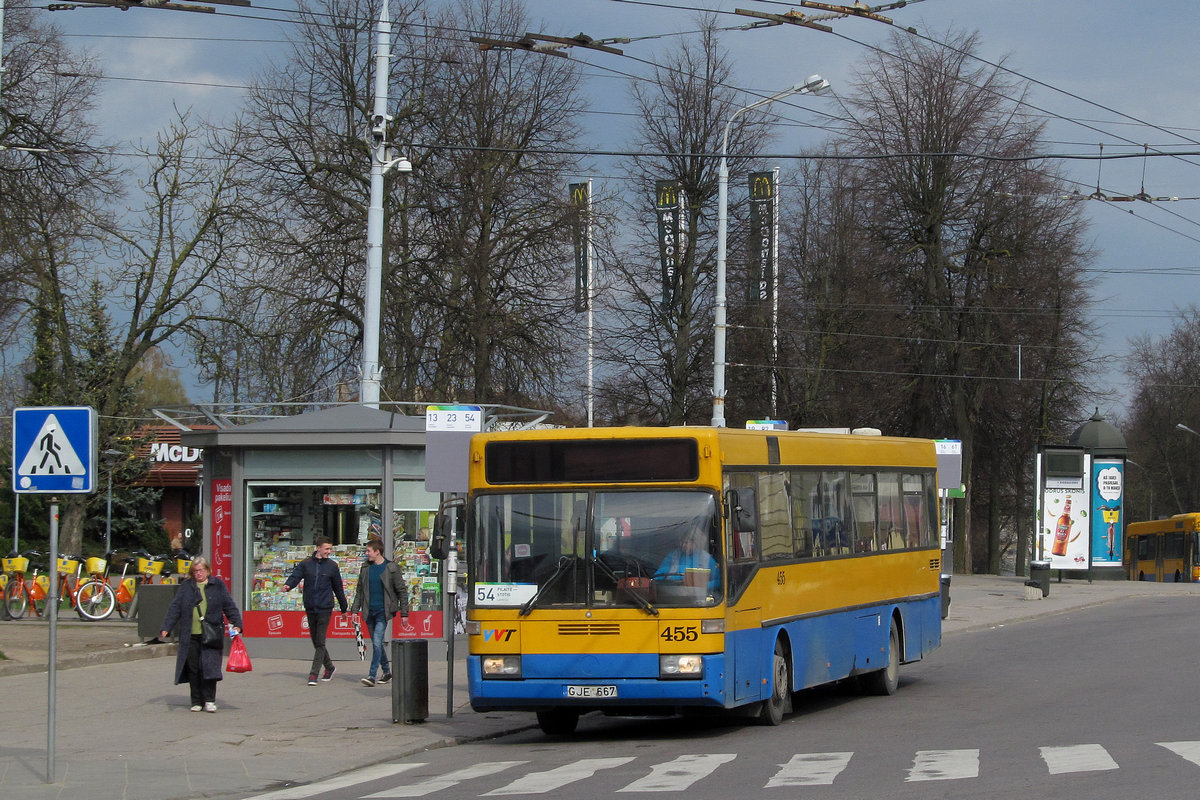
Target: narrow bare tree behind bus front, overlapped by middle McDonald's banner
{"points": [[659, 353]]}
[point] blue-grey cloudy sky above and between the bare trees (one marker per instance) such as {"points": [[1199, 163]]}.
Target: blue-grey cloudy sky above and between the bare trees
{"points": [[1103, 73]]}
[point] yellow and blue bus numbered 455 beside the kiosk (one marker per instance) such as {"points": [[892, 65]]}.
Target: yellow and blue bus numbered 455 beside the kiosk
{"points": [[650, 572]]}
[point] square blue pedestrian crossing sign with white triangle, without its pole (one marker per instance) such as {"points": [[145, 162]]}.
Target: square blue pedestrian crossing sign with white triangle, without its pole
{"points": [[55, 450]]}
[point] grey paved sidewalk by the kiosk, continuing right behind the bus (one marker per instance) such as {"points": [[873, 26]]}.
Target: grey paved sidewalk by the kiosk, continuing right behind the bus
{"points": [[125, 731]]}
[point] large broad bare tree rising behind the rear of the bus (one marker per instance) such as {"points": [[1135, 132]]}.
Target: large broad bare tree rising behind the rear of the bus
{"points": [[973, 258]]}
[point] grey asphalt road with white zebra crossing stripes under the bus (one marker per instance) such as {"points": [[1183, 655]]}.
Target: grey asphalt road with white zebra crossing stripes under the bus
{"points": [[1095, 703]]}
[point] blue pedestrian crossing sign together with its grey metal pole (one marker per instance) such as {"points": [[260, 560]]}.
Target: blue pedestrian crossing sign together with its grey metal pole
{"points": [[53, 453]]}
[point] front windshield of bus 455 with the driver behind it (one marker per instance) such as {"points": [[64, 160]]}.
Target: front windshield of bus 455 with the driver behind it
{"points": [[633, 549]]}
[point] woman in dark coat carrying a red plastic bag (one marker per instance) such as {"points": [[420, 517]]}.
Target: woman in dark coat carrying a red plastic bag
{"points": [[201, 667]]}
